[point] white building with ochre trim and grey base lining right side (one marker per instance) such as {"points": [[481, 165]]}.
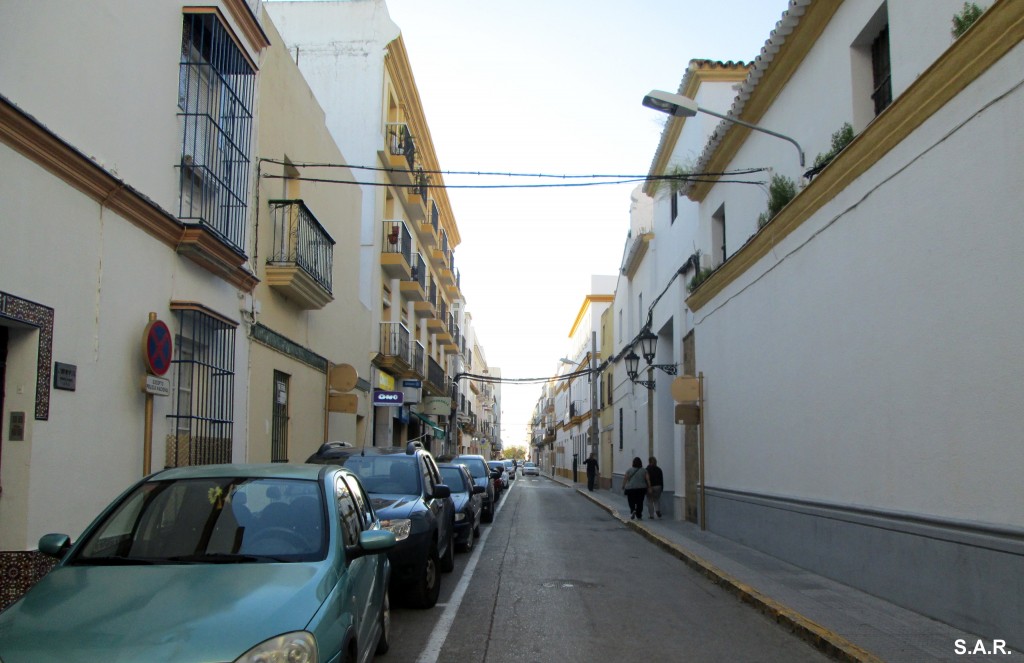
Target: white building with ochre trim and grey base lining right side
{"points": [[861, 372]]}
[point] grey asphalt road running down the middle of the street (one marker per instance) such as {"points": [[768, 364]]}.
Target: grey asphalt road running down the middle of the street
{"points": [[557, 579]]}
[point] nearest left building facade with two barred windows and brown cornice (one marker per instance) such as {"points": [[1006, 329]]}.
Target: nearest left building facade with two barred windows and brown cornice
{"points": [[127, 197]]}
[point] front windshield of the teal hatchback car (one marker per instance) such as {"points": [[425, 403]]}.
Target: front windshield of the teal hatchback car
{"points": [[211, 521]]}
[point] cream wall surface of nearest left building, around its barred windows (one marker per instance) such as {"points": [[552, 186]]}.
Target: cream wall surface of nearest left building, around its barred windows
{"points": [[91, 246]]}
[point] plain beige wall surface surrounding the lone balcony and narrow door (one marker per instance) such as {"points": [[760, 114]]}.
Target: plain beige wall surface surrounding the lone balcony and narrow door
{"points": [[293, 130]]}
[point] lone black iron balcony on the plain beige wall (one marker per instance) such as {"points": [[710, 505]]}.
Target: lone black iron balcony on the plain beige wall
{"points": [[302, 260]]}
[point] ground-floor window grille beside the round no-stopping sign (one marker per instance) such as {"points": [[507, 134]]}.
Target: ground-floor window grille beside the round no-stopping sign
{"points": [[204, 371]]}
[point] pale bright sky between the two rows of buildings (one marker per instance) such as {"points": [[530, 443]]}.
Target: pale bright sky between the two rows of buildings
{"points": [[554, 88]]}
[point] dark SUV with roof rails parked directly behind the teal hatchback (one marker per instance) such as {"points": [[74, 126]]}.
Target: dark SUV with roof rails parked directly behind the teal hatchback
{"points": [[408, 493]]}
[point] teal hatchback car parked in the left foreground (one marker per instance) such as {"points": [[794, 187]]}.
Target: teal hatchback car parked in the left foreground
{"points": [[233, 564]]}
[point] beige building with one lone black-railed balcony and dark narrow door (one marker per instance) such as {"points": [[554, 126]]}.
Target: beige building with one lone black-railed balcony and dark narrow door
{"points": [[309, 328]]}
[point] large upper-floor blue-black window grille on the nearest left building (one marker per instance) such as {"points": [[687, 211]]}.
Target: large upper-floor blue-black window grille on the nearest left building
{"points": [[216, 102]]}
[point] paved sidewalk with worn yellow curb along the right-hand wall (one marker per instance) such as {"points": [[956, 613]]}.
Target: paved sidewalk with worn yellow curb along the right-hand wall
{"points": [[844, 623]]}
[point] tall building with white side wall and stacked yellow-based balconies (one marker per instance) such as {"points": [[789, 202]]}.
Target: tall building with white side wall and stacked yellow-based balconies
{"points": [[355, 59]]}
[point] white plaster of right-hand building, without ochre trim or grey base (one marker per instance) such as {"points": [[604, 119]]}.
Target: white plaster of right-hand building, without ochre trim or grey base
{"points": [[872, 359]]}
